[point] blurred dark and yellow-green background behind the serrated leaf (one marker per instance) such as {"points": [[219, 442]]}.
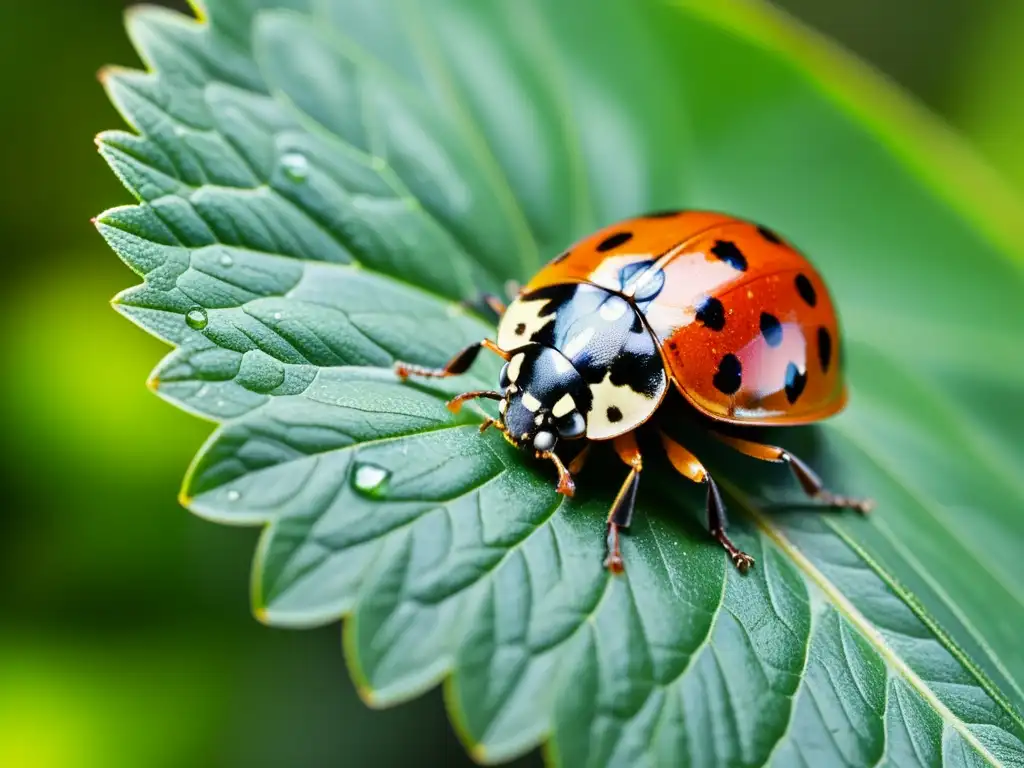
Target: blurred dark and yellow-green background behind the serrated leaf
{"points": [[125, 632]]}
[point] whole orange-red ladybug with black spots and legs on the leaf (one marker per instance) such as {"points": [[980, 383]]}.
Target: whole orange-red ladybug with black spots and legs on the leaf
{"points": [[726, 311]]}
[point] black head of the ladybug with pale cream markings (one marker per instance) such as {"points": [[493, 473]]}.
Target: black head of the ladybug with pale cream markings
{"points": [[545, 400]]}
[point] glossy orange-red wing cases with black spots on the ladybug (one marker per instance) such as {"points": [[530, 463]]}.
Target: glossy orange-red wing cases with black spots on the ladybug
{"points": [[747, 328]]}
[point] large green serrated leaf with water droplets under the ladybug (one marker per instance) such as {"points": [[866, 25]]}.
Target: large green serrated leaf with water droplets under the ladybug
{"points": [[321, 185]]}
